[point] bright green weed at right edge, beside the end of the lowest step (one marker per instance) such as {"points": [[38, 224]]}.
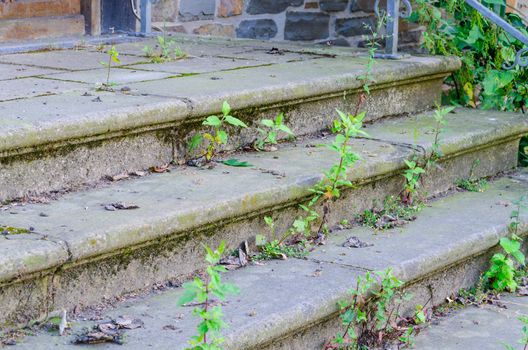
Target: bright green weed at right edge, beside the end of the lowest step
{"points": [[504, 269]]}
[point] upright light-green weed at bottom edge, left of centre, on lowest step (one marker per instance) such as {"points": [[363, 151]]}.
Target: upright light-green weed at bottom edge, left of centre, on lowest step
{"points": [[210, 312]]}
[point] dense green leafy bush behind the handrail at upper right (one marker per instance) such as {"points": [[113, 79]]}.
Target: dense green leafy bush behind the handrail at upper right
{"points": [[454, 28]]}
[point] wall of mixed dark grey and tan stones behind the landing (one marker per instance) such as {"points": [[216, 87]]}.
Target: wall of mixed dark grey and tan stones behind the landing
{"points": [[341, 22]]}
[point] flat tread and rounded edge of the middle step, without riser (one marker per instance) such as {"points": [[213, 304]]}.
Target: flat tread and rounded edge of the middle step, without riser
{"points": [[78, 227]]}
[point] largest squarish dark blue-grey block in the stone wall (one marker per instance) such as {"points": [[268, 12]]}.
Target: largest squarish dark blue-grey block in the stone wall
{"points": [[306, 26]]}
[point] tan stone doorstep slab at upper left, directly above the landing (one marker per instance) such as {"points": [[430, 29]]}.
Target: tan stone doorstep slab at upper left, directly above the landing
{"points": [[41, 27]]}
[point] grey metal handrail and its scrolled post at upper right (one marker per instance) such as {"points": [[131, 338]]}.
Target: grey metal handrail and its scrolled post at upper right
{"points": [[393, 15]]}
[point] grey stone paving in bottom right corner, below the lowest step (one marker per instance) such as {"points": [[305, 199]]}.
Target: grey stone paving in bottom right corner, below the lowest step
{"points": [[487, 327]]}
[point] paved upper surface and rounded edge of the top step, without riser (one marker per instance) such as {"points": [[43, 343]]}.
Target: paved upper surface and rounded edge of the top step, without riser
{"points": [[46, 119]]}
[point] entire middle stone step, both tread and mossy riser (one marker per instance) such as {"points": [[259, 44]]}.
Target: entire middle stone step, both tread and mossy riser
{"points": [[79, 251]]}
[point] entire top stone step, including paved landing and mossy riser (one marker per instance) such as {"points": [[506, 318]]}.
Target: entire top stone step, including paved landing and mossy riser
{"points": [[58, 132]]}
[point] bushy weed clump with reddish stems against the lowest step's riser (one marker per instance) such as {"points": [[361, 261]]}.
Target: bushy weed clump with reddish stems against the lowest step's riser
{"points": [[371, 317]]}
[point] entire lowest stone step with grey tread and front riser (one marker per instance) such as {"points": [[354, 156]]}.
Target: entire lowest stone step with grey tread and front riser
{"points": [[293, 304]]}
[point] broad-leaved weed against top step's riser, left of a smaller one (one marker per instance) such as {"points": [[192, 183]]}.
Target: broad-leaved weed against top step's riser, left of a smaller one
{"points": [[219, 134]]}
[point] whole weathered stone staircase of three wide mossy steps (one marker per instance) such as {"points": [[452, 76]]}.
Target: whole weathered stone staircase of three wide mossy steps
{"points": [[78, 253]]}
